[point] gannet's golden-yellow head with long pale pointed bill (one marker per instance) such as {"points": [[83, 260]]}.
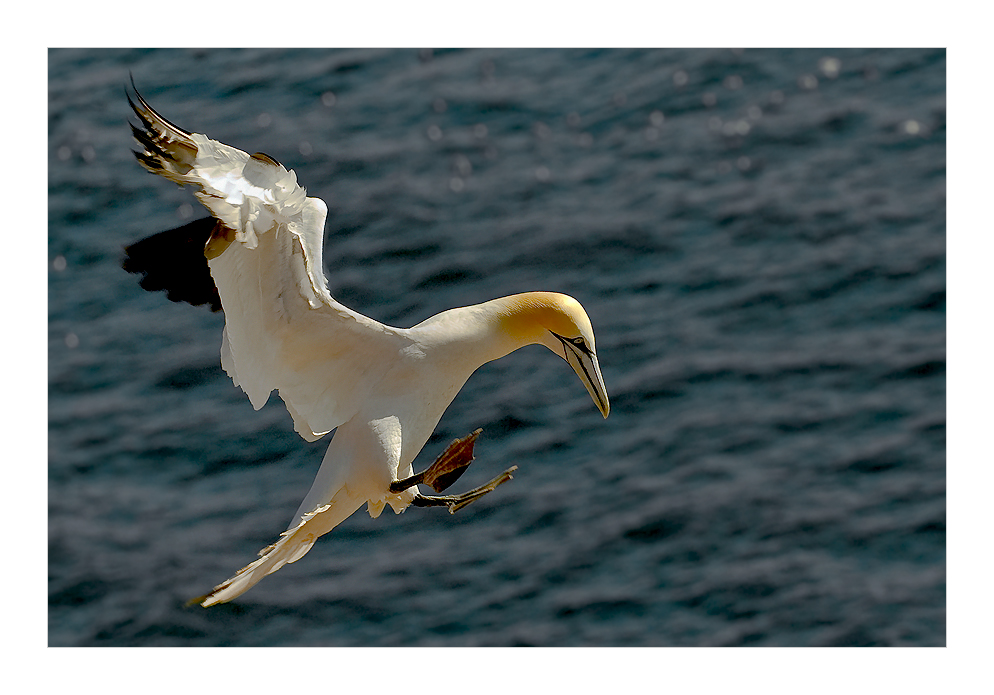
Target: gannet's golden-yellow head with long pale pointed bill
{"points": [[559, 322]]}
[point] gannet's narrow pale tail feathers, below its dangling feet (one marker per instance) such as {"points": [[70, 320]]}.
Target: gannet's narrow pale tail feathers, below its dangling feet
{"points": [[292, 545]]}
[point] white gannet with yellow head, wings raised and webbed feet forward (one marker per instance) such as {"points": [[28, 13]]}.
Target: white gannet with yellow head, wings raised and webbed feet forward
{"points": [[382, 389]]}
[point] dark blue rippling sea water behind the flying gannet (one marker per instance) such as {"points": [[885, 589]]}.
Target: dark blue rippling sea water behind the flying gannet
{"points": [[758, 238]]}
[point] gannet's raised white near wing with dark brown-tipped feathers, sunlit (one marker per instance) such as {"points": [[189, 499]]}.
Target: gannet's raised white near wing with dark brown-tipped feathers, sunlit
{"points": [[283, 330]]}
